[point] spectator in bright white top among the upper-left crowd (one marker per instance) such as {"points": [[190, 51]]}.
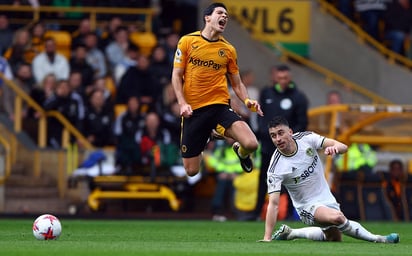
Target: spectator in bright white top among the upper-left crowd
{"points": [[50, 62]]}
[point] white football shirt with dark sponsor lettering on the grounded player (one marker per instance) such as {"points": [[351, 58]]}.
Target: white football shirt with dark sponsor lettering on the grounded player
{"points": [[301, 173]]}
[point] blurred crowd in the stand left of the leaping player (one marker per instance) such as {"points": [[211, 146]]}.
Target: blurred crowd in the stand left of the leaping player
{"points": [[112, 82]]}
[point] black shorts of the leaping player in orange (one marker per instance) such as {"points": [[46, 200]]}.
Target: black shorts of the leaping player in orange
{"points": [[196, 129]]}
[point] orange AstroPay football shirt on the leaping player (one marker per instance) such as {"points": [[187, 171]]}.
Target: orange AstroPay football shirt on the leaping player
{"points": [[205, 65]]}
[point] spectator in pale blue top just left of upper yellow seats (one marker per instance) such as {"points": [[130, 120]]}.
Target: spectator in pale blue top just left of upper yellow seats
{"points": [[116, 50]]}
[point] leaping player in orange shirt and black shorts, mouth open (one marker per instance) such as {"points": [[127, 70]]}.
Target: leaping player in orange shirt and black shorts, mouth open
{"points": [[203, 62]]}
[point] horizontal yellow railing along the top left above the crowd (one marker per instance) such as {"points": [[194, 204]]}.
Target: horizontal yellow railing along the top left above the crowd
{"points": [[92, 11]]}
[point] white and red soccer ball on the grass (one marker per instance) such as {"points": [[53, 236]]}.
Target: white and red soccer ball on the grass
{"points": [[47, 227]]}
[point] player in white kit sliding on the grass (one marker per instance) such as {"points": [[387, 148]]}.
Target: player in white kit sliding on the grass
{"points": [[296, 164]]}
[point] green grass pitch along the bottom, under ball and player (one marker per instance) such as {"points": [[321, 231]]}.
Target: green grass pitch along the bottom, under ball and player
{"points": [[158, 237]]}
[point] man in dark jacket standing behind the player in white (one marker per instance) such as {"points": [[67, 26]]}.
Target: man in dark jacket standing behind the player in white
{"points": [[280, 98]]}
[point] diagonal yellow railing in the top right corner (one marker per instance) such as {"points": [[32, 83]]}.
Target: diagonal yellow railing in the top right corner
{"points": [[364, 37]]}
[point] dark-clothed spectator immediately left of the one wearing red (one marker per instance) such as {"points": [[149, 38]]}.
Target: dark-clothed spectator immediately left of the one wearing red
{"points": [[126, 126]]}
